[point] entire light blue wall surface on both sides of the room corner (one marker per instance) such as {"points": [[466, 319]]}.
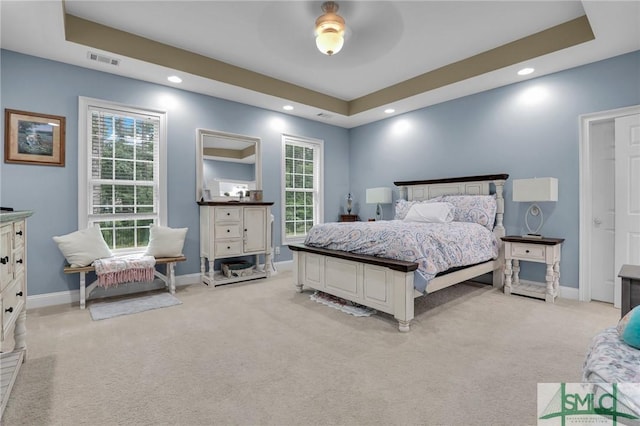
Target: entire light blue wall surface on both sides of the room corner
{"points": [[492, 132]]}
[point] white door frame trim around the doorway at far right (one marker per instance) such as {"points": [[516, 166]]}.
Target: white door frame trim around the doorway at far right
{"points": [[586, 214]]}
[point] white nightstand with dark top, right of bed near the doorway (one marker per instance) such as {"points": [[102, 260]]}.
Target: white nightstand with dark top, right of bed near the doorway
{"points": [[540, 250]]}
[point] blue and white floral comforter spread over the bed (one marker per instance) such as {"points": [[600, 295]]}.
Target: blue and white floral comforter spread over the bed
{"points": [[436, 247]]}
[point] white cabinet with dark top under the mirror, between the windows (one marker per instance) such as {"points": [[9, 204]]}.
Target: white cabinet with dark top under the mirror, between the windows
{"points": [[231, 230]]}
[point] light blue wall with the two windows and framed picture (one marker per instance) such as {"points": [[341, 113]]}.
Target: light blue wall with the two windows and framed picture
{"points": [[38, 85]]}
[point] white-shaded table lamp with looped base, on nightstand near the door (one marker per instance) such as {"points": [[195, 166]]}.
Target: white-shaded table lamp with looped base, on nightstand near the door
{"points": [[535, 190]]}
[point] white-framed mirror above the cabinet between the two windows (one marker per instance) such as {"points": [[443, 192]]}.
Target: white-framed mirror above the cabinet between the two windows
{"points": [[226, 164]]}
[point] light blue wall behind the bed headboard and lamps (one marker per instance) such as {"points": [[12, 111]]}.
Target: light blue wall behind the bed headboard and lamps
{"points": [[504, 130]]}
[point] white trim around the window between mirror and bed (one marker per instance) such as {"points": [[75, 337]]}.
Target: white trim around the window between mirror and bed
{"points": [[318, 210]]}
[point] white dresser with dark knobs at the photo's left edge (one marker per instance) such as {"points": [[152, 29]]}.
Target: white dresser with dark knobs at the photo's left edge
{"points": [[13, 299]]}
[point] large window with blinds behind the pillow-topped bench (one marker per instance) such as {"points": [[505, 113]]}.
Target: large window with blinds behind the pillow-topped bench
{"points": [[121, 179]]}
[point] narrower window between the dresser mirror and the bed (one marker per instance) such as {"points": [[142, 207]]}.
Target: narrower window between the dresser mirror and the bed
{"points": [[302, 186]]}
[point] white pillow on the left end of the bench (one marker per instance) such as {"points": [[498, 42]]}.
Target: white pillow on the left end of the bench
{"points": [[82, 247]]}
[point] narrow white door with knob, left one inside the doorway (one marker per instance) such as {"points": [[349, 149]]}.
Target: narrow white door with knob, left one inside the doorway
{"points": [[601, 266]]}
